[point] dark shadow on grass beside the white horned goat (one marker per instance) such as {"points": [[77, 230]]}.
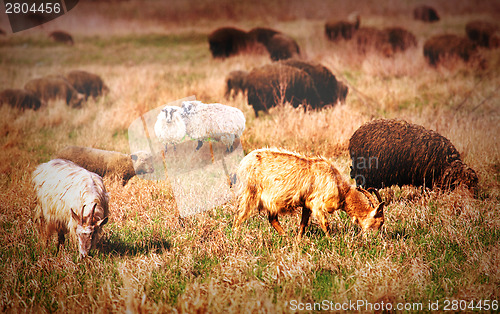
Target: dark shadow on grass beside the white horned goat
{"points": [[122, 248]]}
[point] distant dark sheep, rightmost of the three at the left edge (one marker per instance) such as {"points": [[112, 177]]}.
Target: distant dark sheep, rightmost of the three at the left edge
{"points": [[86, 83]]}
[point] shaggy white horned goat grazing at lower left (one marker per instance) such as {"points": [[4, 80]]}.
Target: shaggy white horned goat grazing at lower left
{"points": [[62, 187]]}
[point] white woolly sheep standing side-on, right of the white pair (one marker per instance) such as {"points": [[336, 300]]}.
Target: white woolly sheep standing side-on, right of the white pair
{"points": [[212, 121]]}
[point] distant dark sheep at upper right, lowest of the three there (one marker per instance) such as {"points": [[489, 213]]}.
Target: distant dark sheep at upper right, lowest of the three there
{"points": [[441, 47]]}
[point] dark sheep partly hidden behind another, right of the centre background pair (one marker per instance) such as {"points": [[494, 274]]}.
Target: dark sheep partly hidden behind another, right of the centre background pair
{"points": [[324, 80]]}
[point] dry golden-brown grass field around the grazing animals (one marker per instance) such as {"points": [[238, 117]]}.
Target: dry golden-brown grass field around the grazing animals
{"points": [[434, 247]]}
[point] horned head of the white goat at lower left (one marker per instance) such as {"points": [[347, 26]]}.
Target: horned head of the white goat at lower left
{"points": [[85, 229]]}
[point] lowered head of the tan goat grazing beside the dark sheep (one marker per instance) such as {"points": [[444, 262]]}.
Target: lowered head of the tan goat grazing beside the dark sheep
{"points": [[365, 210]]}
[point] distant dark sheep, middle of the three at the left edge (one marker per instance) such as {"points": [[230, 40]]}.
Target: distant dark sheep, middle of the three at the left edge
{"points": [[55, 87]]}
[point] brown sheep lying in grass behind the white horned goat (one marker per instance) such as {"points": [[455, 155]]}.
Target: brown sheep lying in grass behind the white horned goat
{"points": [[114, 164]]}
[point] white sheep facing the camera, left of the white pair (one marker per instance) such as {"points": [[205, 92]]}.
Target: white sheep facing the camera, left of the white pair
{"points": [[170, 127]]}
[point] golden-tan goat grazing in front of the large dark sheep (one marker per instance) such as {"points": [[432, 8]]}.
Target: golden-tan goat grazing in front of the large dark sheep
{"points": [[277, 182]]}
